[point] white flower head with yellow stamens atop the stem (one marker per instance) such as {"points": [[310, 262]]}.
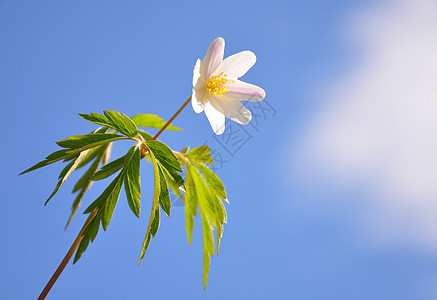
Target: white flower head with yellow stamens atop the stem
{"points": [[217, 90]]}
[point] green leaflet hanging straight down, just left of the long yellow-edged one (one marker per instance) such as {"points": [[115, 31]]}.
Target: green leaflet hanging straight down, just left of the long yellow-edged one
{"points": [[132, 183]]}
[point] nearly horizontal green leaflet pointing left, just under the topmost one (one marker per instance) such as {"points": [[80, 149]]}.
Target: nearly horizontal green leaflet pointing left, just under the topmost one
{"points": [[88, 141]]}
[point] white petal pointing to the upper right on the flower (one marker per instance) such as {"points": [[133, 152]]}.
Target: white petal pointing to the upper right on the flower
{"points": [[237, 65]]}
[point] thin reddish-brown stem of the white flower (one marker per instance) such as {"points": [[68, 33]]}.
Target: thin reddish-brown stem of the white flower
{"points": [[92, 215]]}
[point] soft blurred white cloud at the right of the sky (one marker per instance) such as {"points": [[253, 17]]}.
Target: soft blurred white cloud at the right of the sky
{"points": [[378, 124]]}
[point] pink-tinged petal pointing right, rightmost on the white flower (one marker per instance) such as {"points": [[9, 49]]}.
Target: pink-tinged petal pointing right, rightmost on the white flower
{"points": [[240, 91]]}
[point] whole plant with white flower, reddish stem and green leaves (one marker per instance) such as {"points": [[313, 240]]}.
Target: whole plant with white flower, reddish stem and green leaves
{"points": [[217, 91]]}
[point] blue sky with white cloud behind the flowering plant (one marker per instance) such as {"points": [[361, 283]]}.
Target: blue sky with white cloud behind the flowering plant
{"points": [[327, 201]]}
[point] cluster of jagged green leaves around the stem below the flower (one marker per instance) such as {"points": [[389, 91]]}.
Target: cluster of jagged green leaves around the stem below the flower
{"points": [[201, 190]]}
